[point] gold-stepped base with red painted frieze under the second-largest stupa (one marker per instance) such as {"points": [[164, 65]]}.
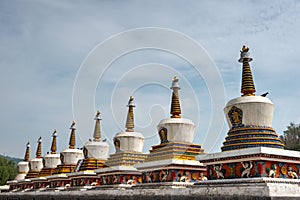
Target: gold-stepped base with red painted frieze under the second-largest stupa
{"points": [[172, 162]]}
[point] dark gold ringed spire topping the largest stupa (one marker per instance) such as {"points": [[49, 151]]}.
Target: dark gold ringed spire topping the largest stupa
{"points": [[248, 88]]}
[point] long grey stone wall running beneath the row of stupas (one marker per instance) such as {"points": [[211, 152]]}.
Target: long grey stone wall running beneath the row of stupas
{"points": [[208, 191]]}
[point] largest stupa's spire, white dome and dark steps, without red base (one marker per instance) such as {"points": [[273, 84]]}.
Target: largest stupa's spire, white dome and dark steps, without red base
{"points": [[249, 117]]}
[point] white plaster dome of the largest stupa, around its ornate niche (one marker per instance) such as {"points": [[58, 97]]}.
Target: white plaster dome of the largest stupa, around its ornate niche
{"points": [[257, 110]]}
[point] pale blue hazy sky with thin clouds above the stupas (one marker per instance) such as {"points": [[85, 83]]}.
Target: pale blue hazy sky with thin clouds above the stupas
{"points": [[44, 44]]}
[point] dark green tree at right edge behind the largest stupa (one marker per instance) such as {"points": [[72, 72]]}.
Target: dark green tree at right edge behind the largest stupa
{"points": [[291, 137]]}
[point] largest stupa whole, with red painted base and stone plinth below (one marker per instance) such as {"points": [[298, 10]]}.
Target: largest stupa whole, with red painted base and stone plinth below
{"points": [[252, 158]]}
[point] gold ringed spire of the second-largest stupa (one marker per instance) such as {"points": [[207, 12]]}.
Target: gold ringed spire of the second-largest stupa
{"points": [[175, 104]]}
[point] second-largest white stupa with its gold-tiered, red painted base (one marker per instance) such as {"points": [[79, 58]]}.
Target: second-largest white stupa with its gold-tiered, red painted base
{"points": [[173, 160]]}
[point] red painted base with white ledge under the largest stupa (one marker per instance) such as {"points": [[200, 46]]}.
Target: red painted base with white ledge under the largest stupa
{"points": [[252, 162]]}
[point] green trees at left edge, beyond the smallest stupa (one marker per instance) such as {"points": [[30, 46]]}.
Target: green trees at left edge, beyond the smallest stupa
{"points": [[8, 170]]}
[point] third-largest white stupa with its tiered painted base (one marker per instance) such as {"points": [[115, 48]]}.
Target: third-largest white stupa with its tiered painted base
{"points": [[129, 146]]}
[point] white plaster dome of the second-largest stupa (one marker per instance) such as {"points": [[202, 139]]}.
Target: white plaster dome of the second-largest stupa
{"points": [[178, 129]]}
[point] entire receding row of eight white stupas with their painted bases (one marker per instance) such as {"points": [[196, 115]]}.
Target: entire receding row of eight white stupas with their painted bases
{"points": [[251, 149]]}
